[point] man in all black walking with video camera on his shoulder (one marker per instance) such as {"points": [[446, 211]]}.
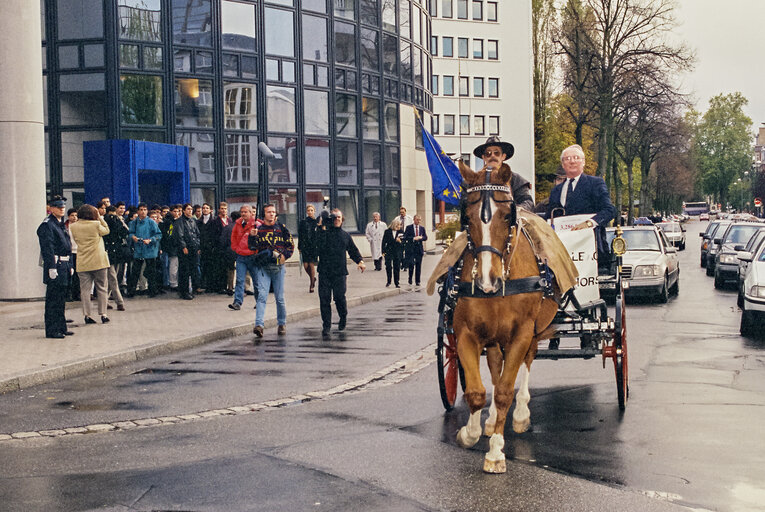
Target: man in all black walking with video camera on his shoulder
{"points": [[332, 243]]}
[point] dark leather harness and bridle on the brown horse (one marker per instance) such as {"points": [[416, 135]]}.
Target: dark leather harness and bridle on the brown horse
{"points": [[542, 282]]}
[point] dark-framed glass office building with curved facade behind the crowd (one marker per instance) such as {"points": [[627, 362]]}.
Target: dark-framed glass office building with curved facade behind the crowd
{"points": [[324, 83]]}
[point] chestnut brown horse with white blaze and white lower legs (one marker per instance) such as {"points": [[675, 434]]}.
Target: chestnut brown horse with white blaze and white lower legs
{"points": [[506, 323]]}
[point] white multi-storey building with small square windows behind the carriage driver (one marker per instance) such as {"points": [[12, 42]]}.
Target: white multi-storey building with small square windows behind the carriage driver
{"points": [[483, 77]]}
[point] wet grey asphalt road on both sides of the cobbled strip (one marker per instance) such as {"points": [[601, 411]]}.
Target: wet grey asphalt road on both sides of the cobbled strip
{"points": [[691, 434]]}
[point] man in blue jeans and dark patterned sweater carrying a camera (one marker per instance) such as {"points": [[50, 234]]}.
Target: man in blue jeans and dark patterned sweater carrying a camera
{"points": [[273, 245]]}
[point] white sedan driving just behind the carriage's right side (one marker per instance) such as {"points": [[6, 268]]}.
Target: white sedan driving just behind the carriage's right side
{"points": [[650, 266]]}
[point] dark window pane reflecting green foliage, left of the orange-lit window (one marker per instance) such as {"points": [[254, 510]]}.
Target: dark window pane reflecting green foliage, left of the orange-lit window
{"points": [[141, 99]]}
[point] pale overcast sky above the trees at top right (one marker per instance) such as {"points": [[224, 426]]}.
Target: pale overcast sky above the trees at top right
{"points": [[727, 36]]}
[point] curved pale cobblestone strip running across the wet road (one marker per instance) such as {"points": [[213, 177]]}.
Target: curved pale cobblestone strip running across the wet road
{"points": [[392, 374]]}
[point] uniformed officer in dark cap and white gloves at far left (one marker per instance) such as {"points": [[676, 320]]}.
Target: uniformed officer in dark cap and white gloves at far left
{"points": [[56, 253]]}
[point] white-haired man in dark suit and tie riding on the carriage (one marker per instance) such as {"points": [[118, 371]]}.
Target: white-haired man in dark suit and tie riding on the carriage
{"points": [[584, 194]]}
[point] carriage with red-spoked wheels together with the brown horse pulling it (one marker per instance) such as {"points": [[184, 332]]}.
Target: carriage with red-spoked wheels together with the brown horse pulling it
{"points": [[500, 298]]}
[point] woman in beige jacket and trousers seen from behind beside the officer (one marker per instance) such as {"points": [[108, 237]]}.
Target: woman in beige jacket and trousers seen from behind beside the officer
{"points": [[92, 260]]}
